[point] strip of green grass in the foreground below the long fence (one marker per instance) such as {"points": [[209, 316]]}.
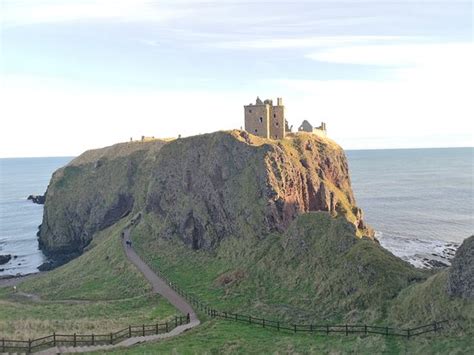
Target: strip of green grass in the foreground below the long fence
{"points": [[224, 337]]}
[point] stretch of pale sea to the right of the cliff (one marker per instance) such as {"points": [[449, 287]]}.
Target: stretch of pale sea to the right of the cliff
{"points": [[418, 200]]}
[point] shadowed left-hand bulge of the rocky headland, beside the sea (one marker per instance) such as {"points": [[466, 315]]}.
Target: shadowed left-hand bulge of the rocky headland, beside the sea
{"points": [[89, 194]]}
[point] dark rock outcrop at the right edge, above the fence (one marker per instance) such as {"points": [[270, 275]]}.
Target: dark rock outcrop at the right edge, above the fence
{"points": [[461, 274]]}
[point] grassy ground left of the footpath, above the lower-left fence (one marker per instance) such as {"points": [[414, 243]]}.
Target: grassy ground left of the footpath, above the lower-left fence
{"points": [[98, 292]]}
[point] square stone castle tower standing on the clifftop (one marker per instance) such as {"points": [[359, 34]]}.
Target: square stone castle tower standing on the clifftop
{"points": [[265, 120]]}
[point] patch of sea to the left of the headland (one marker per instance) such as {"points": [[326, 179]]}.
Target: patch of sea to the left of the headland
{"points": [[19, 218]]}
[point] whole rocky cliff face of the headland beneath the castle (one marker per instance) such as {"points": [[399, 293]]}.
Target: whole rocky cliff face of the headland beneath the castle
{"points": [[200, 189]]}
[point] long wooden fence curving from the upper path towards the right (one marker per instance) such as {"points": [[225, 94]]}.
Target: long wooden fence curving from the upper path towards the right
{"points": [[323, 329]]}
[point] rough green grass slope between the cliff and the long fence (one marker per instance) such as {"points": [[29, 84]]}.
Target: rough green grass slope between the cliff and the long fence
{"points": [[317, 269]]}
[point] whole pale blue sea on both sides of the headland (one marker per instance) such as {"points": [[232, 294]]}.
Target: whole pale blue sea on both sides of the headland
{"points": [[419, 201]]}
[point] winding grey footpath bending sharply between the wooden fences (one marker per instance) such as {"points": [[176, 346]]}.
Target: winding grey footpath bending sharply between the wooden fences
{"points": [[159, 286]]}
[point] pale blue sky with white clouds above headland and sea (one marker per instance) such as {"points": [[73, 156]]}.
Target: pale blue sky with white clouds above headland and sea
{"points": [[76, 75]]}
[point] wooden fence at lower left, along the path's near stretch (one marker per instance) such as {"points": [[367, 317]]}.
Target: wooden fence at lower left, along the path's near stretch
{"points": [[54, 339]]}
